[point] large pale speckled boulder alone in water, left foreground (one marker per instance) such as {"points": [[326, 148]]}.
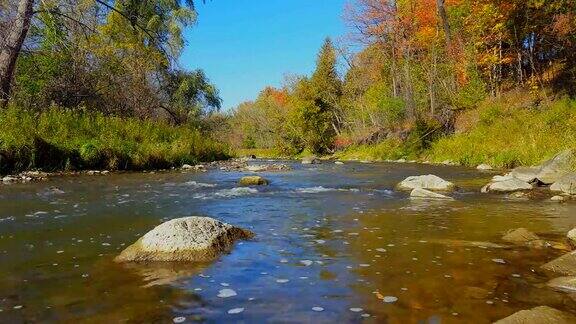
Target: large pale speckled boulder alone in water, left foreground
{"points": [[194, 238]]}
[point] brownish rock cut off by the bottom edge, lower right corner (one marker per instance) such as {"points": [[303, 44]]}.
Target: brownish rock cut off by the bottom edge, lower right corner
{"points": [[539, 315]]}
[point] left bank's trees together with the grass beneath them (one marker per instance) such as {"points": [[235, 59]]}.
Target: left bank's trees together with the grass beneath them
{"points": [[100, 62]]}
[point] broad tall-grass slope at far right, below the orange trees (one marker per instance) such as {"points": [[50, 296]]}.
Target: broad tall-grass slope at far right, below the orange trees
{"points": [[508, 136]]}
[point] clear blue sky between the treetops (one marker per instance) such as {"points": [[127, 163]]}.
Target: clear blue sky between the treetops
{"points": [[245, 45]]}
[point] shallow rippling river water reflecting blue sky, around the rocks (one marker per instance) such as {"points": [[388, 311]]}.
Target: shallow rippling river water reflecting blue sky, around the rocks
{"points": [[333, 243]]}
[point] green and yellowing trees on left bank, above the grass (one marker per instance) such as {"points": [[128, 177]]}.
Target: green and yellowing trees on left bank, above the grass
{"points": [[112, 56]]}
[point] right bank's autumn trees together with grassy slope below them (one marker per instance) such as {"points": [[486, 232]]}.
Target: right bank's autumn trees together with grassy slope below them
{"points": [[471, 81]]}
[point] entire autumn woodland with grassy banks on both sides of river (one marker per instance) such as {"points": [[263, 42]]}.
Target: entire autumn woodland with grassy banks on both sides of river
{"points": [[471, 81]]}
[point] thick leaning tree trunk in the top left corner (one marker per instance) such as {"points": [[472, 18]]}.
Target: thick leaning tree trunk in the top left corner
{"points": [[12, 45]]}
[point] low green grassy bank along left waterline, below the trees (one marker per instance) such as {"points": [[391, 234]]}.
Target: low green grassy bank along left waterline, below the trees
{"points": [[59, 139]]}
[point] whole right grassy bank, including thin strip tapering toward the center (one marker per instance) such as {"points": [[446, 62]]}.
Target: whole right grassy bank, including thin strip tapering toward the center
{"points": [[503, 133]]}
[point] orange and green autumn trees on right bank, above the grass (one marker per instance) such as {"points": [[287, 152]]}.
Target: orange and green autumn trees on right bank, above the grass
{"points": [[423, 64]]}
